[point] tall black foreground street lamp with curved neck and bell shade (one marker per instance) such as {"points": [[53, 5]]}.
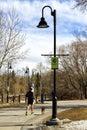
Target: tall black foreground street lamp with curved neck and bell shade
{"points": [[43, 24]]}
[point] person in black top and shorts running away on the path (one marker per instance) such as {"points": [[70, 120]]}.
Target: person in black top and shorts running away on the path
{"points": [[30, 101]]}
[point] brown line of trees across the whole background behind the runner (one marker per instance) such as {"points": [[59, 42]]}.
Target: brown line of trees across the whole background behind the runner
{"points": [[71, 76]]}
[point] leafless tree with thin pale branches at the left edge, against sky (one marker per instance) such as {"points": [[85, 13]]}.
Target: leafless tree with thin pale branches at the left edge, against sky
{"points": [[11, 37]]}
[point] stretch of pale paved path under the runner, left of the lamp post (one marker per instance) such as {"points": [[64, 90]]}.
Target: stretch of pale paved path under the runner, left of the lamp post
{"points": [[15, 118]]}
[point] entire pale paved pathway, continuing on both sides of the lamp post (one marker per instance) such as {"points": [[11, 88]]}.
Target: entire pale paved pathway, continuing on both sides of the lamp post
{"points": [[15, 119]]}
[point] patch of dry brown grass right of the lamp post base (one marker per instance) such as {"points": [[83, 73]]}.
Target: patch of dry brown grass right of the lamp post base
{"points": [[74, 114]]}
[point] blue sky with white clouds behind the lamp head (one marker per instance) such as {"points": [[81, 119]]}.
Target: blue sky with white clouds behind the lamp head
{"points": [[40, 41]]}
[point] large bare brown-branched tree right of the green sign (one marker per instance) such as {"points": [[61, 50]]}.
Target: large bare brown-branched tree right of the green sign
{"points": [[75, 66]]}
